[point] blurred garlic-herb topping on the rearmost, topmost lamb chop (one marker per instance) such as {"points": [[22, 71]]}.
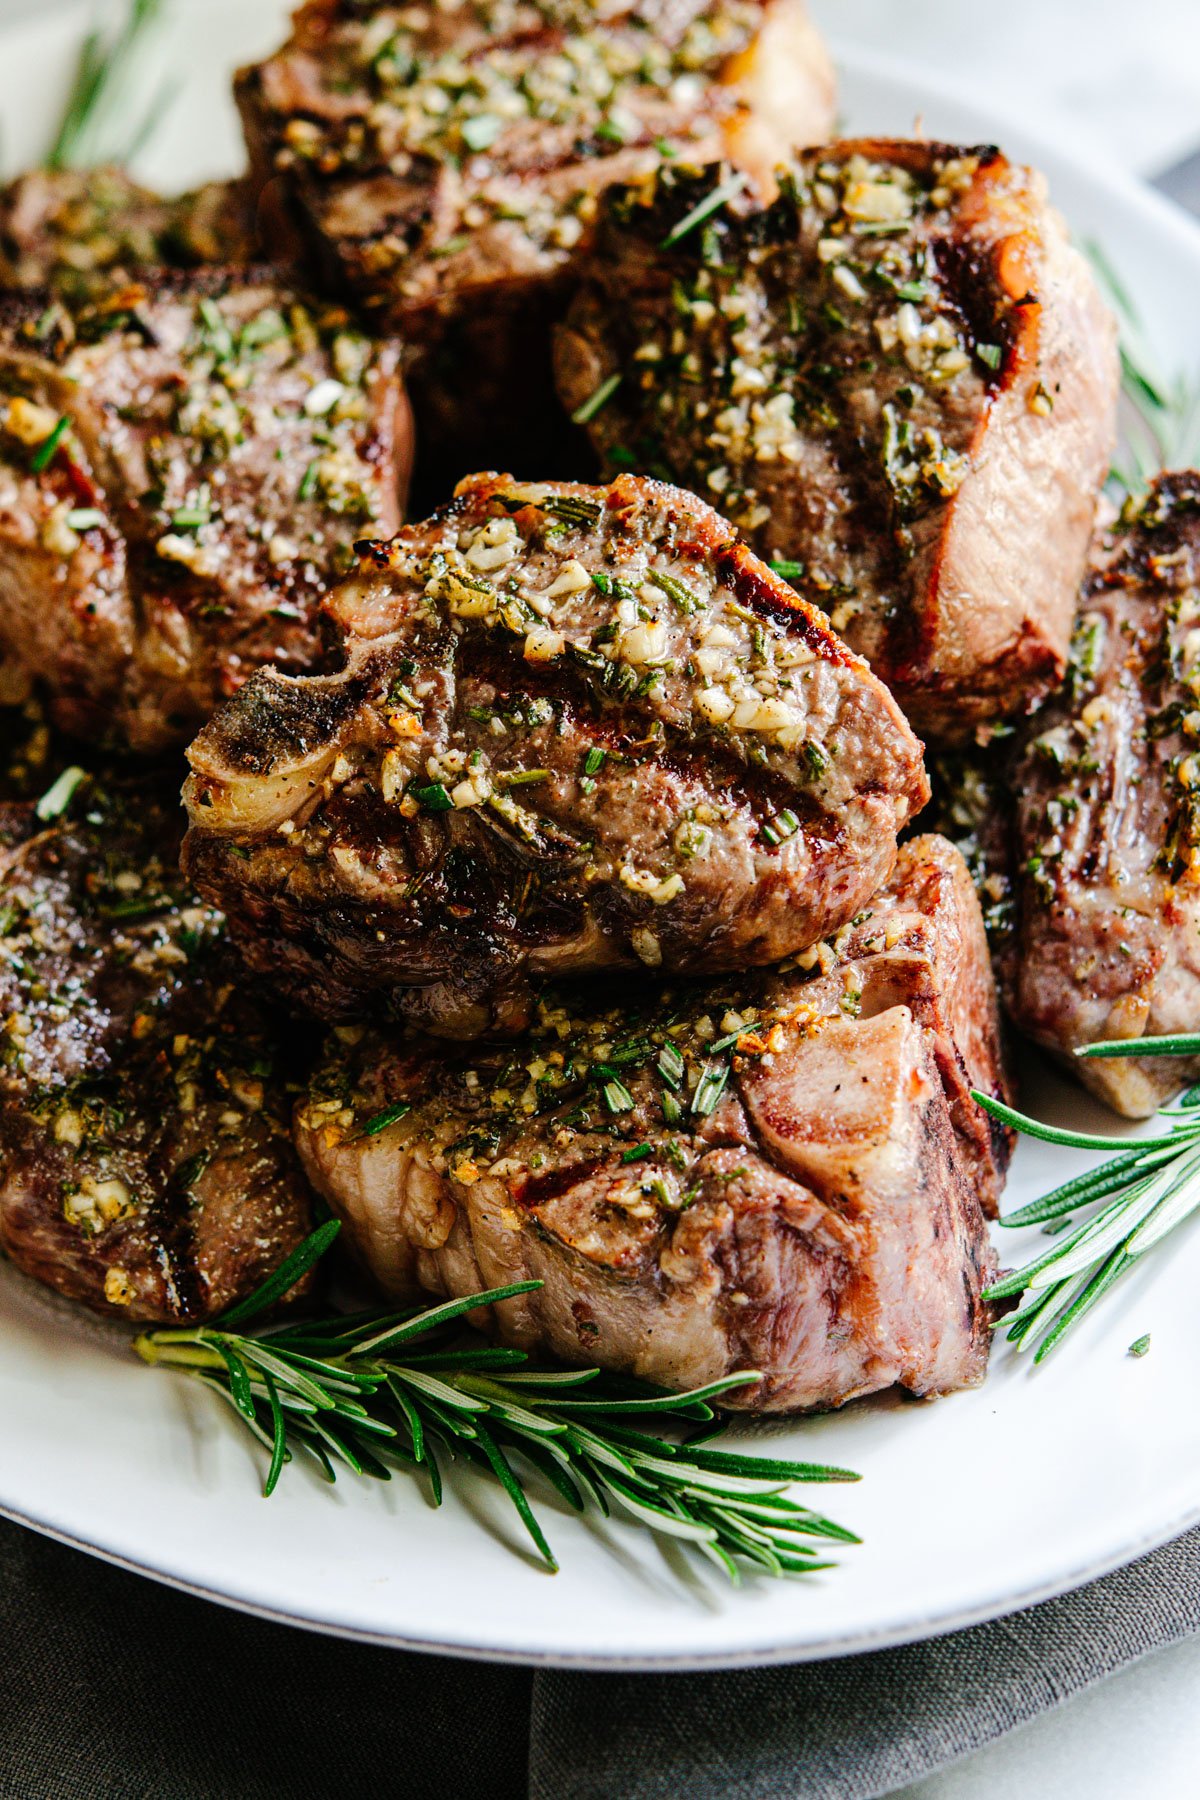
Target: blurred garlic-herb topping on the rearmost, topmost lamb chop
{"points": [[490, 98]]}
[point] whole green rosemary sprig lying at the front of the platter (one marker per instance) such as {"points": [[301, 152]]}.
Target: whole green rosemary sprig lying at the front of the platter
{"points": [[407, 1390]]}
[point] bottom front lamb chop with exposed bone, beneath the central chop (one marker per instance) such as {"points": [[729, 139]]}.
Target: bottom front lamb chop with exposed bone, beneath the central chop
{"points": [[778, 1173]]}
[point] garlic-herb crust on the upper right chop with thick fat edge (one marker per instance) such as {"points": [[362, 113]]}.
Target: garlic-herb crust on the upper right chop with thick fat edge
{"points": [[775, 357]]}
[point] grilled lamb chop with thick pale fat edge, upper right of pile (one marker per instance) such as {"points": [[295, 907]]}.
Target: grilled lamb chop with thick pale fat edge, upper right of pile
{"points": [[899, 379]]}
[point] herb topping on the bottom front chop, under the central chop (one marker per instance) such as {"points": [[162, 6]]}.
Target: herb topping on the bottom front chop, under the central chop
{"points": [[645, 1079]]}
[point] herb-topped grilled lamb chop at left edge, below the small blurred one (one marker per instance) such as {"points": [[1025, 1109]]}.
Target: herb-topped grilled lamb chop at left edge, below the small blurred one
{"points": [[183, 469]]}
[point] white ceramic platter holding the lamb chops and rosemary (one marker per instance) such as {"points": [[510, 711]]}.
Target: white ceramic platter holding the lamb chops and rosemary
{"points": [[969, 1507]]}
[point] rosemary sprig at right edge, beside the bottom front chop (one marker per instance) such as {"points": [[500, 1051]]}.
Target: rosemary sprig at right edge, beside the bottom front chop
{"points": [[1134, 1201]]}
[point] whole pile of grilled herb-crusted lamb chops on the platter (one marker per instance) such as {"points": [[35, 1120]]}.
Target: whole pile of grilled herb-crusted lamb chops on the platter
{"points": [[542, 859]]}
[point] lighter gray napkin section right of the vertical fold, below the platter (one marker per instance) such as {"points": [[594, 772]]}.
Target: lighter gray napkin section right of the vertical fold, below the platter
{"points": [[861, 1725]]}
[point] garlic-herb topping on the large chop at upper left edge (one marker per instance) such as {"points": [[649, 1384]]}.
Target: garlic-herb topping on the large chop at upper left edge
{"points": [[321, 368]]}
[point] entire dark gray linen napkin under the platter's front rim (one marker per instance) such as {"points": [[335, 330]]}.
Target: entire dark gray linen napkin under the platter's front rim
{"points": [[116, 1689]]}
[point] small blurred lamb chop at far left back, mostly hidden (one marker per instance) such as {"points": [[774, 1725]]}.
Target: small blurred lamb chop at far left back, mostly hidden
{"points": [[80, 233]]}
